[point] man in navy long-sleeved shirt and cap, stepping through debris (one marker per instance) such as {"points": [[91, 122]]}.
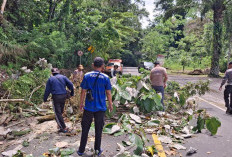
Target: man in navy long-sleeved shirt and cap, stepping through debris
{"points": [[56, 85]]}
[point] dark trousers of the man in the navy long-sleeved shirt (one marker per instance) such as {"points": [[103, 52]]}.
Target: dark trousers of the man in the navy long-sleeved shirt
{"points": [[58, 107]]}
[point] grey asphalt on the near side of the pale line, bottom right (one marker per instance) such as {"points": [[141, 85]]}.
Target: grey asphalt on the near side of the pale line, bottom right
{"points": [[212, 146]]}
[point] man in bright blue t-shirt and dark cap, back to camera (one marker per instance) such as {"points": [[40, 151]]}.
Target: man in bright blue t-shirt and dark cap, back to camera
{"points": [[100, 87]]}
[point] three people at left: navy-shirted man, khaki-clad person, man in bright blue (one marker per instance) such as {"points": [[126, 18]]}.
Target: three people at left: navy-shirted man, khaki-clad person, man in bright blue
{"points": [[94, 84]]}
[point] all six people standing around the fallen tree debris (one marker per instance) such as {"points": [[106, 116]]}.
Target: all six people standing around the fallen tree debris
{"points": [[95, 87]]}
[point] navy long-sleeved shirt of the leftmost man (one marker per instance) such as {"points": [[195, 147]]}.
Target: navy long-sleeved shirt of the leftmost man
{"points": [[57, 87]]}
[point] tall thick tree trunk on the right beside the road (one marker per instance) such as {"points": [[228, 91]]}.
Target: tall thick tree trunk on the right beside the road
{"points": [[218, 9]]}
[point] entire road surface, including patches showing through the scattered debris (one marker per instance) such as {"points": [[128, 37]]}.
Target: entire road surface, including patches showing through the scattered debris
{"points": [[207, 145]]}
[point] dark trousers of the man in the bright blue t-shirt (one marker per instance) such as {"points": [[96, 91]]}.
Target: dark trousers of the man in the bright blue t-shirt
{"points": [[86, 123]]}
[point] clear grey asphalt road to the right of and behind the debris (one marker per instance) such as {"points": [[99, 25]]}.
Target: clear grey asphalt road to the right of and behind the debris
{"points": [[207, 145]]}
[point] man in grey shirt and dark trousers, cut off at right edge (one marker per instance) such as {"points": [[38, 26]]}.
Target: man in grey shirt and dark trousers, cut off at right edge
{"points": [[228, 88]]}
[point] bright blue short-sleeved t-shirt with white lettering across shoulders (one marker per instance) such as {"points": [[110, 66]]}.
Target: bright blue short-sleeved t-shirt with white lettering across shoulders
{"points": [[98, 91]]}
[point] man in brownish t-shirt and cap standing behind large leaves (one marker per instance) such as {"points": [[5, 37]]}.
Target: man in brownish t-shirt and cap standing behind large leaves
{"points": [[159, 77]]}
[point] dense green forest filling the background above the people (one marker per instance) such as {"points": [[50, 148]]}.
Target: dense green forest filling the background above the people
{"points": [[189, 33]]}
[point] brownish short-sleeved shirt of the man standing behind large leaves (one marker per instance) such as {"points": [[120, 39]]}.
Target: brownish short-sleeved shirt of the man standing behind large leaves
{"points": [[157, 76]]}
